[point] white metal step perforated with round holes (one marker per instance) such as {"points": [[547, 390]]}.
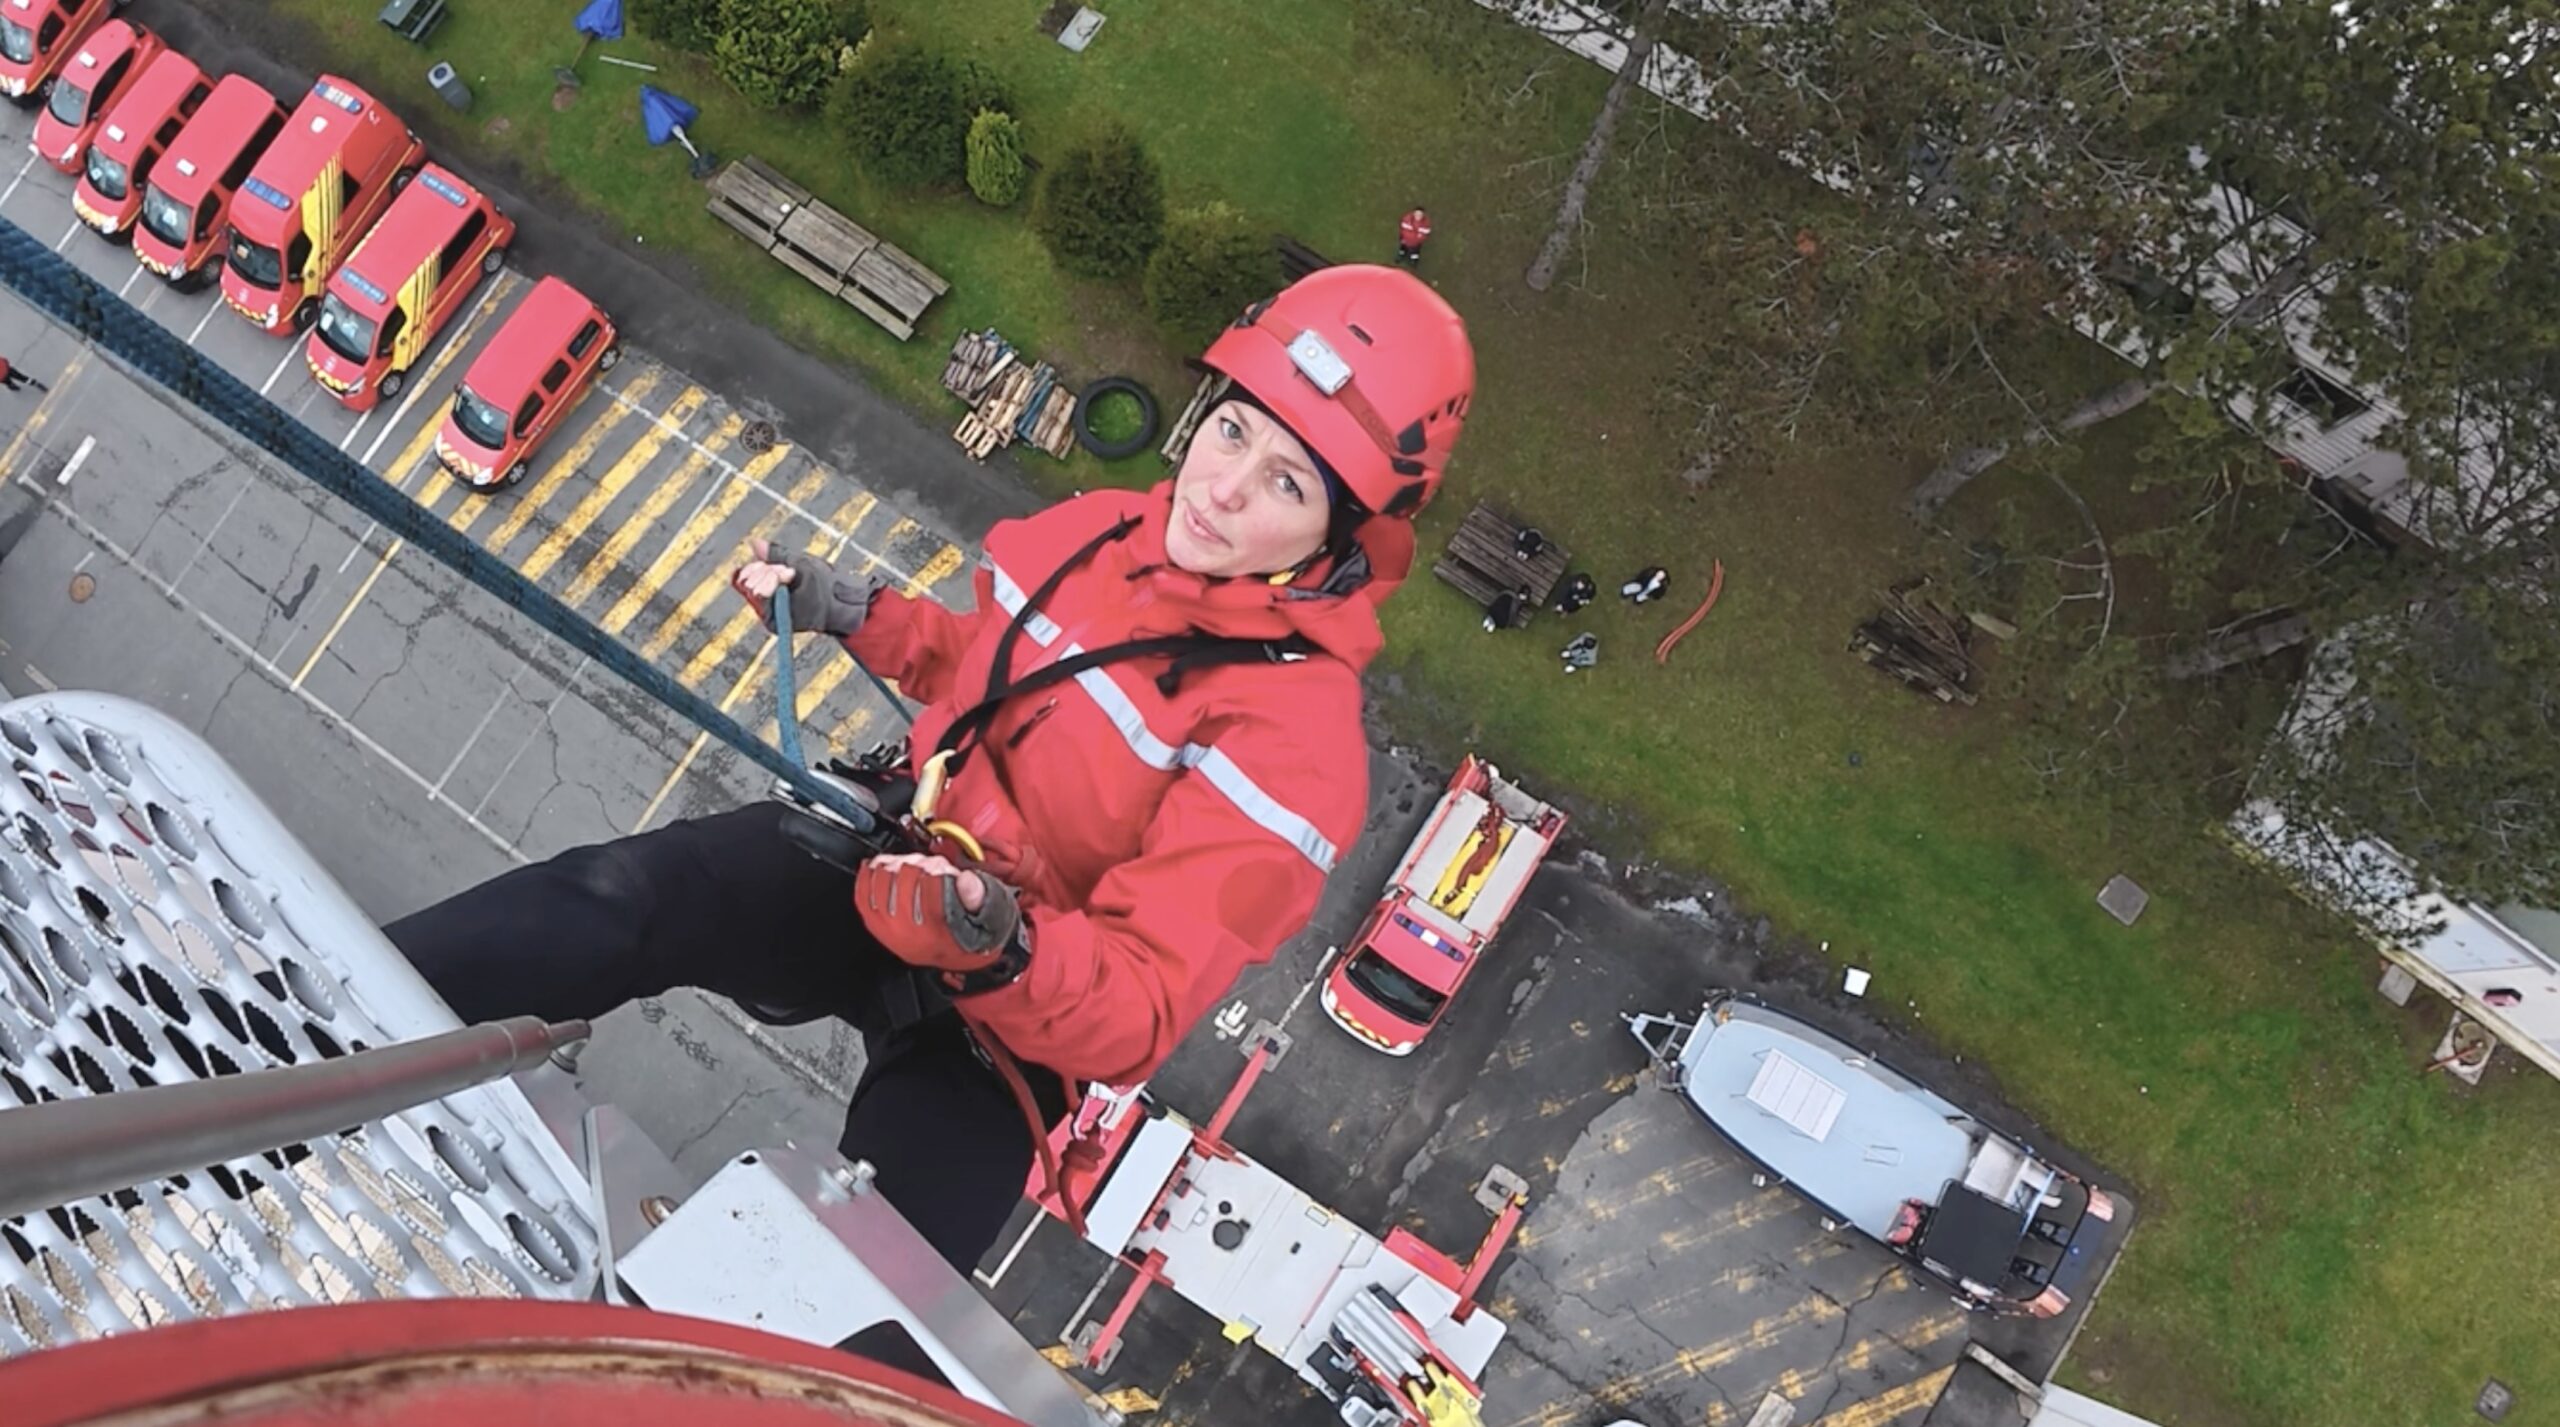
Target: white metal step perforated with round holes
{"points": [[157, 924]]}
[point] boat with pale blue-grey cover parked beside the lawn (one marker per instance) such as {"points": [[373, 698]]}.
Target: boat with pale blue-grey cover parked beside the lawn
{"points": [[1885, 1154]]}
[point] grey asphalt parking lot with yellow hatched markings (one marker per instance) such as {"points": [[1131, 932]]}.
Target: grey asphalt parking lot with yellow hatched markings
{"points": [[421, 737]]}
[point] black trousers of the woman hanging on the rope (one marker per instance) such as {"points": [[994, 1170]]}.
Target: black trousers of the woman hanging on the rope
{"points": [[731, 906]]}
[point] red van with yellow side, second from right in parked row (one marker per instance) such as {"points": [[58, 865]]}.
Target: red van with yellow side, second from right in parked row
{"points": [[403, 283]]}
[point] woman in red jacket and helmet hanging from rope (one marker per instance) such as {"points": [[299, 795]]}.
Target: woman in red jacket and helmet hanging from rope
{"points": [[1151, 826]]}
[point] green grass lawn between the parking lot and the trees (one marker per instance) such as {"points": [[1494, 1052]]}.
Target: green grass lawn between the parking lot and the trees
{"points": [[2331, 1239]]}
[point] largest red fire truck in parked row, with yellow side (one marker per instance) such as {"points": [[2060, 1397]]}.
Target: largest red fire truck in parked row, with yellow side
{"points": [[311, 199]]}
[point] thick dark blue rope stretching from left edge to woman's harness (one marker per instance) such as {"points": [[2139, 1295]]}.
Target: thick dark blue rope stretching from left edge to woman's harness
{"points": [[50, 283]]}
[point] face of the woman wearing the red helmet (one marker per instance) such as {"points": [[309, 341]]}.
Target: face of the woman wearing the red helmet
{"points": [[1248, 498]]}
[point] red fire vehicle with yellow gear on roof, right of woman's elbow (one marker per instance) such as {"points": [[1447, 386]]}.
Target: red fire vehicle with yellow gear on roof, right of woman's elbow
{"points": [[1445, 903]]}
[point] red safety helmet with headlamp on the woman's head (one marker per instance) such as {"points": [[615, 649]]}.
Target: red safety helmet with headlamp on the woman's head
{"points": [[1368, 368]]}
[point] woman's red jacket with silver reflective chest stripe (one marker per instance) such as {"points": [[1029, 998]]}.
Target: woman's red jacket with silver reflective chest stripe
{"points": [[1161, 844]]}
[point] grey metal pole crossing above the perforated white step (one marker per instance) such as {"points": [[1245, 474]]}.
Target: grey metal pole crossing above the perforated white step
{"points": [[76, 1149]]}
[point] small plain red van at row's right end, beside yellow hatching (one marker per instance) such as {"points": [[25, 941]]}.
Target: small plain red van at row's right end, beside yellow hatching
{"points": [[524, 383]]}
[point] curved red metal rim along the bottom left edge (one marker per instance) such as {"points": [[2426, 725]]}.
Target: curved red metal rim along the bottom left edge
{"points": [[447, 1362]]}
